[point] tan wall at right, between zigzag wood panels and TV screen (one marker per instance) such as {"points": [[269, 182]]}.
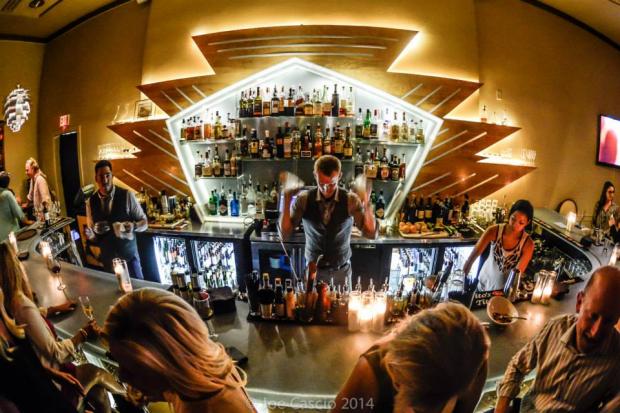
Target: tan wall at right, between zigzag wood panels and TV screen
{"points": [[556, 78]]}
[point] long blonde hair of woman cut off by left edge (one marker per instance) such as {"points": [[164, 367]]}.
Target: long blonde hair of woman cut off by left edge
{"points": [[13, 279]]}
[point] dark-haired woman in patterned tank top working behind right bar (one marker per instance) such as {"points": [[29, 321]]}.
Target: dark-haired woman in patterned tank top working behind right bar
{"points": [[511, 247]]}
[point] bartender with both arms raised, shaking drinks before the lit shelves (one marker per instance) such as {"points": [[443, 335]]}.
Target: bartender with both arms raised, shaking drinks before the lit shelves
{"points": [[328, 213]]}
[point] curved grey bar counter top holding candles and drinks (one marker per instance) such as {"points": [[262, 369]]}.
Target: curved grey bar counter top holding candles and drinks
{"points": [[288, 364]]}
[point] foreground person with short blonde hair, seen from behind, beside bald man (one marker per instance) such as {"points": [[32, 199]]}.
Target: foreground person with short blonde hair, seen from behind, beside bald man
{"points": [[435, 362]]}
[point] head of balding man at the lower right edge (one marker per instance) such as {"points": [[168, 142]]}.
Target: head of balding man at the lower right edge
{"points": [[598, 306]]}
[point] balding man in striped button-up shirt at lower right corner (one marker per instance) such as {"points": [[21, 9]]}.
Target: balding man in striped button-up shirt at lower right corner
{"points": [[577, 357]]}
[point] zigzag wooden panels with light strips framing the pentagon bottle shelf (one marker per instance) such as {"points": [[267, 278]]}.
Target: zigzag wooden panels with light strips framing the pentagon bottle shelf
{"points": [[363, 53]]}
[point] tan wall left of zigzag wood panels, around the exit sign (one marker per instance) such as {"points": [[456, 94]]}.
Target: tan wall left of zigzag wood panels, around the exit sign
{"points": [[88, 72]]}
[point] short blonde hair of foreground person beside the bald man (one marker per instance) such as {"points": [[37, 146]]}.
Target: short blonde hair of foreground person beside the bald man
{"points": [[436, 356]]}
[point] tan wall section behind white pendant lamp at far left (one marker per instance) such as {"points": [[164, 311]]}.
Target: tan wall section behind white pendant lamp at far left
{"points": [[21, 63]]}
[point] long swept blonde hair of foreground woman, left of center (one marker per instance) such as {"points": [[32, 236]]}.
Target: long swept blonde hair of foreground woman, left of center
{"points": [[166, 336]]}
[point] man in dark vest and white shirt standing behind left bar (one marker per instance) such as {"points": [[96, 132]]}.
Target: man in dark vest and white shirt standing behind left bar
{"points": [[109, 205]]}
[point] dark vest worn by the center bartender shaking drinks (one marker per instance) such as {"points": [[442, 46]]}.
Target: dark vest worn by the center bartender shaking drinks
{"points": [[332, 240]]}
